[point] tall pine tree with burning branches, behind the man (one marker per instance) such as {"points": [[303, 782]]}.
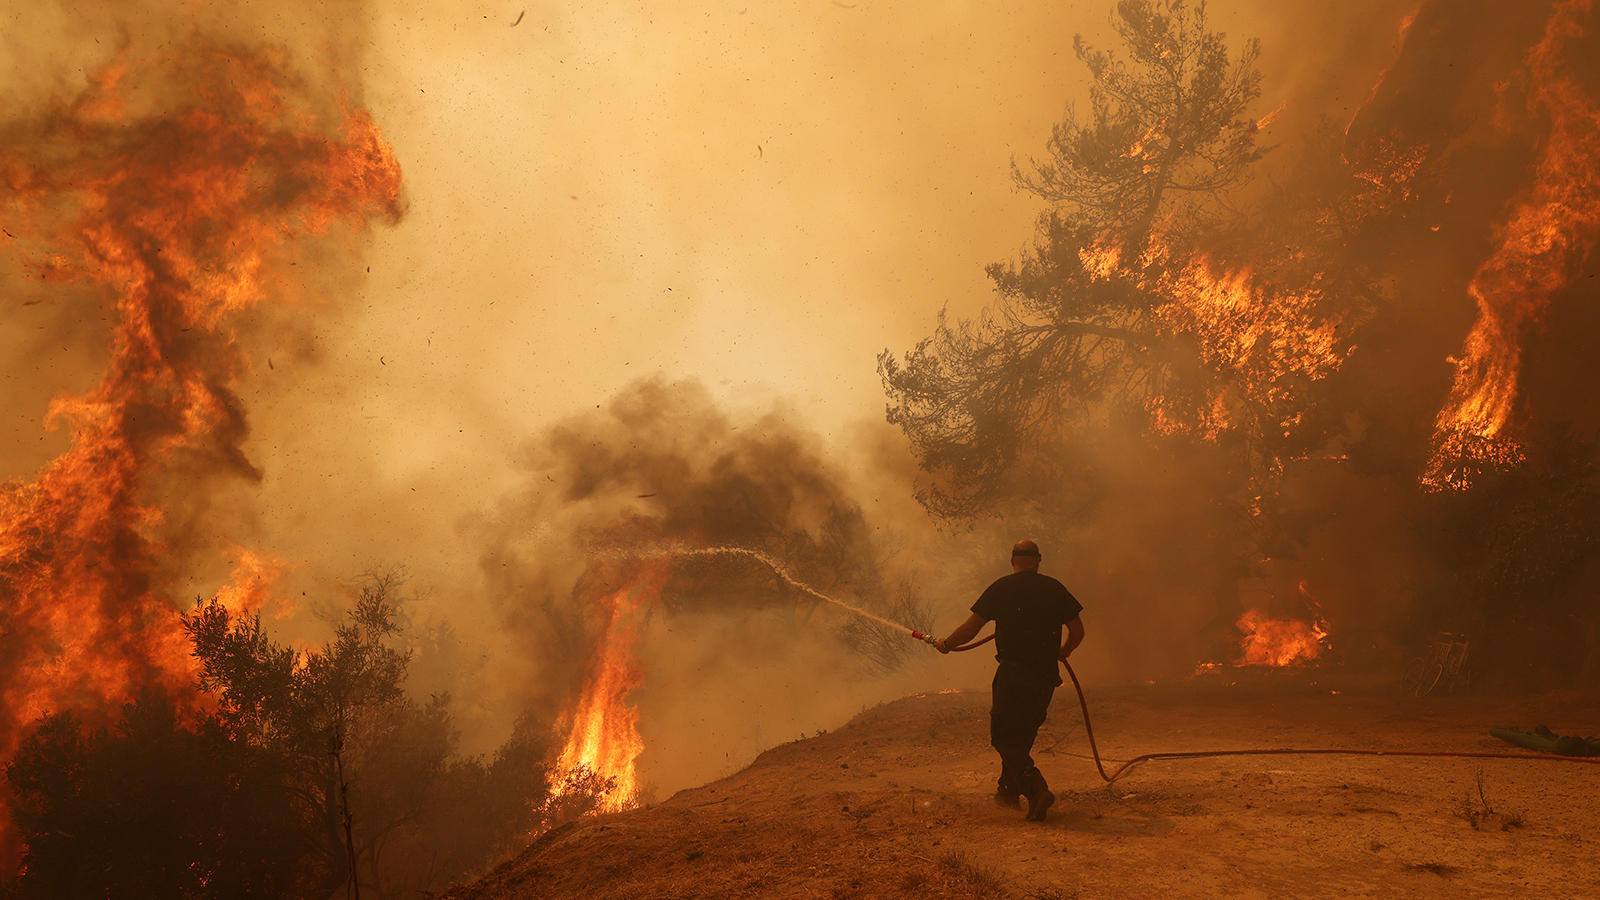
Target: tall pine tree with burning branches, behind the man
{"points": [[1135, 310]]}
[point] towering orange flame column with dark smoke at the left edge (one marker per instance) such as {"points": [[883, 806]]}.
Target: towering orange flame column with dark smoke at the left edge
{"points": [[178, 211]]}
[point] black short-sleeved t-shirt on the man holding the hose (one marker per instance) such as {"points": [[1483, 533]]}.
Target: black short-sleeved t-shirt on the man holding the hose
{"points": [[1028, 611]]}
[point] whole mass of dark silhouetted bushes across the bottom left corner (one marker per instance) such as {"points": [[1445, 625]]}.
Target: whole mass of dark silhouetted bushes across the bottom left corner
{"points": [[246, 802]]}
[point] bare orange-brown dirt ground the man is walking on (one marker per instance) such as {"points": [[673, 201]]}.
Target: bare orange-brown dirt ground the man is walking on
{"points": [[898, 803]]}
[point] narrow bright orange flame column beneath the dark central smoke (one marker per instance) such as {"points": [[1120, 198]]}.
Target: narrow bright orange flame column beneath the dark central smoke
{"points": [[604, 736]]}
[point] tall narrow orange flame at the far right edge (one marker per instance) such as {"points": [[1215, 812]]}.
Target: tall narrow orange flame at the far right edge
{"points": [[1548, 236]]}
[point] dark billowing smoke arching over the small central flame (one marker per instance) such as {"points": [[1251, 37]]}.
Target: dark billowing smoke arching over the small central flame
{"points": [[663, 465]]}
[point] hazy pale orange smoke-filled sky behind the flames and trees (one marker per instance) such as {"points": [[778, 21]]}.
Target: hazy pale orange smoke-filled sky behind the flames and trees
{"points": [[756, 196]]}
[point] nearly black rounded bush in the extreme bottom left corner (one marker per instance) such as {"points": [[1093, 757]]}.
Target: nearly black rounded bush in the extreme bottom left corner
{"points": [[158, 808]]}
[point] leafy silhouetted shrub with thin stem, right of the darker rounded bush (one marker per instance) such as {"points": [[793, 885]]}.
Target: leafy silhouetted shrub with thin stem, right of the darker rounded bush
{"points": [[420, 814]]}
